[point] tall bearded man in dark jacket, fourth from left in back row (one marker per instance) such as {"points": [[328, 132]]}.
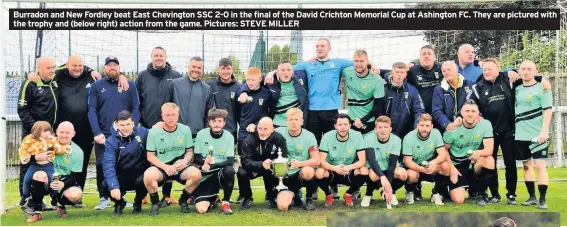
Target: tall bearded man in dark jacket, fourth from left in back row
{"points": [[153, 87]]}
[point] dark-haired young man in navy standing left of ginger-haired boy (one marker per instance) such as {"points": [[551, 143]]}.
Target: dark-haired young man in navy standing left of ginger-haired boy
{"points": [[224, 91]]}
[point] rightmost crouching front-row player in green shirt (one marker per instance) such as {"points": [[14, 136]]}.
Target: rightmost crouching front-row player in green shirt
{"points": [[468, 164]]}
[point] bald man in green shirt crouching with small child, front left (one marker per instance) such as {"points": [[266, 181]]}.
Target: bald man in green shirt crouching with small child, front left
{"points": [[66, 191]]}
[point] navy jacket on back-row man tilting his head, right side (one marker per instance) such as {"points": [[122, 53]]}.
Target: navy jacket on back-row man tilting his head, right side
{"points": [[447, 102]]}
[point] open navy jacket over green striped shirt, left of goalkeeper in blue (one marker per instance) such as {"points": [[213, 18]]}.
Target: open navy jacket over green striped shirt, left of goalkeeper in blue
{"points": [[301, 90]]}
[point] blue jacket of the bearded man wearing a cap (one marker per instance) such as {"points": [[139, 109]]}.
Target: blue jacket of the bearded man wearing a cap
{"points": [[106, 100]]}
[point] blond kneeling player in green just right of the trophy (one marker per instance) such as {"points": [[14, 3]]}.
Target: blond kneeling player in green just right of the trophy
{"points": [[303, 154]]}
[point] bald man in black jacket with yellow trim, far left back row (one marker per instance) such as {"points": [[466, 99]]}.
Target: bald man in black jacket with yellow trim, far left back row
{"points": [[37, 102]]}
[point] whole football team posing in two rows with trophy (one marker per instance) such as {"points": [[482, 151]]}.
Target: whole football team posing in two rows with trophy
{"points": [[443, 122]]}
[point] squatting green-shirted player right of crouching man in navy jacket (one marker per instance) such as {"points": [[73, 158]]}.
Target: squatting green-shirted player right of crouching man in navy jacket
{"points": [[170, 151]]}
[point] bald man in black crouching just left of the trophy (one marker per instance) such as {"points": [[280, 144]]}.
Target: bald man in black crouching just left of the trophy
{"points": [[259, 149]]}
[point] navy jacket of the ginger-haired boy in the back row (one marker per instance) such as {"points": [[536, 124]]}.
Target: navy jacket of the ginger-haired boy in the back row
{"points": [[251, 112]]}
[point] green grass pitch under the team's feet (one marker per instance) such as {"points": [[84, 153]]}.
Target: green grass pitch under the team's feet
{"points": [[259, 214]]}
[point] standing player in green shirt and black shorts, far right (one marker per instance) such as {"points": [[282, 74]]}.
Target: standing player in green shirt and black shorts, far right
{"points": [[533, 116]]}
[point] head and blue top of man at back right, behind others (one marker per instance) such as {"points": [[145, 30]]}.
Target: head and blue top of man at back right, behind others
{"points": [[467, 65]]}
